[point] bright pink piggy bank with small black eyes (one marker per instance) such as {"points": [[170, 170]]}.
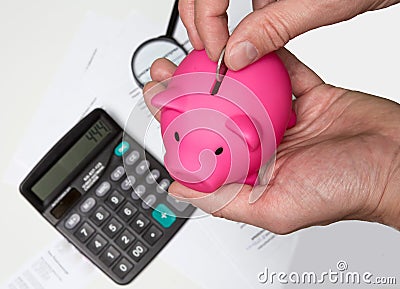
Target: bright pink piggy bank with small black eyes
{"points": [[216, 139]]}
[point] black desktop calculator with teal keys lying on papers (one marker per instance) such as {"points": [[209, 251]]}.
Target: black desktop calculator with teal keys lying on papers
{"points": [[120, 221]]}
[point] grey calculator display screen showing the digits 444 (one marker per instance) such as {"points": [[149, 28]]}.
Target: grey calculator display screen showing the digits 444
{"points": [[71, 159]]}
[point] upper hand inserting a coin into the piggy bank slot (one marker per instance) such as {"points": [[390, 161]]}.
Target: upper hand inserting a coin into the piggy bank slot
{"points": [[271, 25]]}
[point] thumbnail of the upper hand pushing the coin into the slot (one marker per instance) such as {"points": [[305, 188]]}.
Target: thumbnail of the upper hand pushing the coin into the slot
{"points": [[241, 55]]}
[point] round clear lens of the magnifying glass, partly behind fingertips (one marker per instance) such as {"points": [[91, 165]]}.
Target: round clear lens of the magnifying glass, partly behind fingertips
{"points": [[151, 50]]}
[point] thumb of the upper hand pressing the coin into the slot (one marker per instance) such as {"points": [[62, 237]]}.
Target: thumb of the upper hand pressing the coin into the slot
{"points": [[270, 28]]}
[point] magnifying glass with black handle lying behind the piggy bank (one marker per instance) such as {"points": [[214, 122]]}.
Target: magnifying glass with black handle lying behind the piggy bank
{"points": [[164, 46]]}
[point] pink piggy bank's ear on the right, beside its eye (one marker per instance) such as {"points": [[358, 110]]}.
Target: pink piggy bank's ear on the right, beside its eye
{"points": [[246, 130]]}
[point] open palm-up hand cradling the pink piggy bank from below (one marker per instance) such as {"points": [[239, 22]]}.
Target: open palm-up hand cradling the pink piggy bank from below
{"points": [[340, 161]]}
